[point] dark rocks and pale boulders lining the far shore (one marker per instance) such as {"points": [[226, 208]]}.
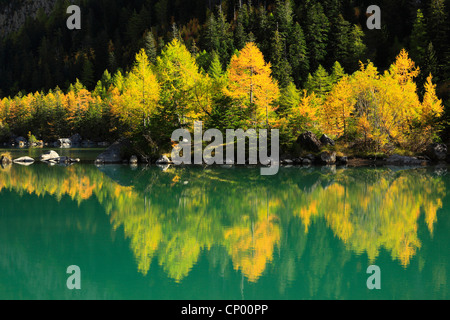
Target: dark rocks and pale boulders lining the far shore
{"points": [[315, 152]]}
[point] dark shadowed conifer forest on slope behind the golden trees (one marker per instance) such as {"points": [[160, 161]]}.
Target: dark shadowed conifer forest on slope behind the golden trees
{"points": [[43, 54]]}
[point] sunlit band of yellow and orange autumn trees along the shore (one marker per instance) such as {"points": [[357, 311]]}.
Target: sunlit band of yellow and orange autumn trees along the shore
{"points": [[376, 111]]}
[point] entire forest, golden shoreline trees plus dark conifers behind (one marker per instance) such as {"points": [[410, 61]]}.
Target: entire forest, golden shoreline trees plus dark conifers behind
{"points": [[141, 69]]}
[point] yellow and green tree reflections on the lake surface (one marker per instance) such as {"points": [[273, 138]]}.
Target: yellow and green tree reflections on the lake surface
{"points": [[172, 217]]}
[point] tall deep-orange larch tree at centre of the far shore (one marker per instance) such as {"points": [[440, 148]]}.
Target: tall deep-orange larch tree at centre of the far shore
{"points": [[250, 83]]}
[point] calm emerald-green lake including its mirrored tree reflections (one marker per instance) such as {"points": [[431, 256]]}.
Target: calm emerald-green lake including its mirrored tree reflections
{"points": [[223, 233]]}
